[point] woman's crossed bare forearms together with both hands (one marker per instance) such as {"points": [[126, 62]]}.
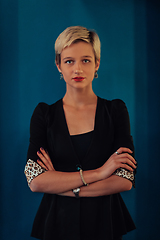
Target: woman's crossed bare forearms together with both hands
{"points": [[56, 182]]}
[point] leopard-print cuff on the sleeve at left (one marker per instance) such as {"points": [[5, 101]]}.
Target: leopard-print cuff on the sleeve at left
{"points": [[32, 170]]}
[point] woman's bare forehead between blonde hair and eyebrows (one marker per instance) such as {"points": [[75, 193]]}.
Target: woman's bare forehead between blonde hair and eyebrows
{"points": [[79, 49]]}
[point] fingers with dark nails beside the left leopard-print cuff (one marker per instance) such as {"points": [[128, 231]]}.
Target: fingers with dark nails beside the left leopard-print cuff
{"points": [[45, 160]]}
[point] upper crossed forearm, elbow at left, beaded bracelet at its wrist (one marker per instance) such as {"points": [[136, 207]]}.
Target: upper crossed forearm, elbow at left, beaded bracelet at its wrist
{"points": [[55, 182]]}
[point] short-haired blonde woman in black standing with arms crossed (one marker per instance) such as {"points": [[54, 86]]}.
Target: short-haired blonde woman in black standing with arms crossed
{"points": [[81, 151]]}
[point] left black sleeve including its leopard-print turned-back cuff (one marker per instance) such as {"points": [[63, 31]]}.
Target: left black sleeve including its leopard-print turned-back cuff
{"points": [[38, 138]]}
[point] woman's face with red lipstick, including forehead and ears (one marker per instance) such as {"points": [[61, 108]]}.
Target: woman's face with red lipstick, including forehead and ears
{"points": [[78, 65]]}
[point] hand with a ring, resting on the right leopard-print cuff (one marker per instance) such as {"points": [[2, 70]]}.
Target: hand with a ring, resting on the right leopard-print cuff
{"points": [[121, 158]]}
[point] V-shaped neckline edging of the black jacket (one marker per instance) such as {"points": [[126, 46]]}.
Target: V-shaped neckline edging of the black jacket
{"points": [[68, 133]]}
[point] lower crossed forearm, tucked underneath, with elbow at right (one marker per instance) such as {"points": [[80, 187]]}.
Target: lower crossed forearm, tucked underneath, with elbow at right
{"points": [[111, 185]]}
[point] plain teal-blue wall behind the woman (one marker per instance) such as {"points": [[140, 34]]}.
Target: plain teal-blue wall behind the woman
{"points": [[130, 35]]}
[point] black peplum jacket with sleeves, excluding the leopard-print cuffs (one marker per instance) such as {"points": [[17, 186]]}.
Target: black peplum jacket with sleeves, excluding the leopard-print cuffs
{"points": [[60, 217]]}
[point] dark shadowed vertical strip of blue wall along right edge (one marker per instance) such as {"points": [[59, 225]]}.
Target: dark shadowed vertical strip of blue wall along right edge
{"points": [[147, 73]]}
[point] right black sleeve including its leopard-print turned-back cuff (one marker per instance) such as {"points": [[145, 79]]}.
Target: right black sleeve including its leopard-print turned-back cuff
{"points": [[122, 136]]}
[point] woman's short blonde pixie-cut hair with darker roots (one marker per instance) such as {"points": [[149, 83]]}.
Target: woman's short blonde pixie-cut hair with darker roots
{"points": [[73, 35]]}
